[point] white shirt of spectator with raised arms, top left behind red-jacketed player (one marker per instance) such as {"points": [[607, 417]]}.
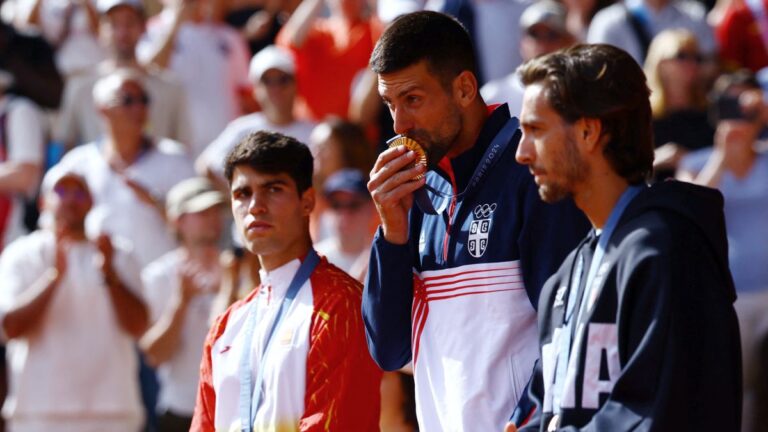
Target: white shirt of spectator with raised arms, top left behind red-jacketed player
{"points": [[212, 63]]}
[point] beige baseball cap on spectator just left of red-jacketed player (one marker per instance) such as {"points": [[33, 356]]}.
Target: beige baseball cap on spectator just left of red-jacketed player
{"points": [[191, 196]]}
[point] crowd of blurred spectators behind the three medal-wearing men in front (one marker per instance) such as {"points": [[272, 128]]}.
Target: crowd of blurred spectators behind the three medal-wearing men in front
{"points": [[116, 117]]}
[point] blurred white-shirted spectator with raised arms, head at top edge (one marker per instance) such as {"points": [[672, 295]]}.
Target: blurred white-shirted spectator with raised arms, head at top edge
{"points": [[189, 38]]}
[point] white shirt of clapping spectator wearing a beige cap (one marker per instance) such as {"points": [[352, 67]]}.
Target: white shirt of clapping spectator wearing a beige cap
{"points": [[179, 374]]}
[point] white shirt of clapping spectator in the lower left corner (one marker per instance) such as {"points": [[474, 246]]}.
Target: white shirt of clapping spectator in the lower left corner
{"points": [[79, 363]]}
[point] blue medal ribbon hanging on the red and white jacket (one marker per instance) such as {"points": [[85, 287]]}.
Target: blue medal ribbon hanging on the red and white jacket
{"points": [[251, 390]]}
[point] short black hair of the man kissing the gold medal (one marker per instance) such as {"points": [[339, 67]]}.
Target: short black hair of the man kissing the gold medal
{"points": [[439, 39]]}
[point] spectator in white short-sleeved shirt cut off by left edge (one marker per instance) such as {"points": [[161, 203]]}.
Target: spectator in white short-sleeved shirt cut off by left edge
{"points": [[22, 154]]}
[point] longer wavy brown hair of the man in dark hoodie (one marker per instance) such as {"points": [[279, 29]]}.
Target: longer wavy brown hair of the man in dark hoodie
{"points": [[603, 82]]}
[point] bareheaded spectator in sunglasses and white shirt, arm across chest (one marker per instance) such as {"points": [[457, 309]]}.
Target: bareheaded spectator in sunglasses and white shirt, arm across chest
{"points": [[129, 172]]}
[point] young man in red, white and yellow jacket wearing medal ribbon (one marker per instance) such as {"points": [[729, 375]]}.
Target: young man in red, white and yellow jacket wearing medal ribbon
{"points": [[306, 366]]}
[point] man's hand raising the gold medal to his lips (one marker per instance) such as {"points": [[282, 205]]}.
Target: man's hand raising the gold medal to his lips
{"points": [[391, 187]]}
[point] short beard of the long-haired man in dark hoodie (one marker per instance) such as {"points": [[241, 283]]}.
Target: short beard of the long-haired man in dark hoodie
{"points": [[573, 170]]}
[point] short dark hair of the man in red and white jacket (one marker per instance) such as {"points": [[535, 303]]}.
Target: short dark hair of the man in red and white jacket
{"points": [[273, 153]]}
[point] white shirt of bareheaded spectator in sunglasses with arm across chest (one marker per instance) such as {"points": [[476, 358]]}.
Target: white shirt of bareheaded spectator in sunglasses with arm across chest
{"points": [[117, 210]]}
